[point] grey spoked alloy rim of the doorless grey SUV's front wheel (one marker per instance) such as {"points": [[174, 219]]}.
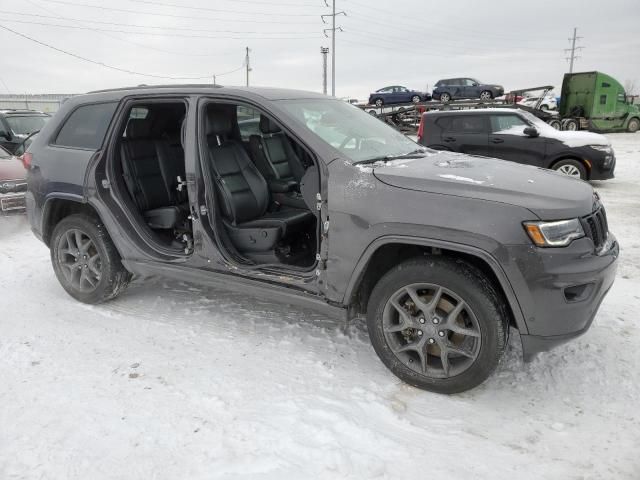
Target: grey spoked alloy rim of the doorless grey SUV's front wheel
{"points": [[431, 330]]}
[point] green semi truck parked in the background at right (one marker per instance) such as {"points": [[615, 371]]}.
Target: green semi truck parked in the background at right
{"points": [[598, 102]]}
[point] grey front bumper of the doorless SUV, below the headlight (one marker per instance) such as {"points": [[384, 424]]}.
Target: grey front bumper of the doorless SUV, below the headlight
{"points": [[563, 289]]}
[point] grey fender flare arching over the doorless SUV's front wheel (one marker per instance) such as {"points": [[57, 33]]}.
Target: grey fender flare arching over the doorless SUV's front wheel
{"points": [[483, 255]]}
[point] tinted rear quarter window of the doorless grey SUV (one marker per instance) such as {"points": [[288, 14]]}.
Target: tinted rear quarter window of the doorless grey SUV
{"points": [[86, 126]]}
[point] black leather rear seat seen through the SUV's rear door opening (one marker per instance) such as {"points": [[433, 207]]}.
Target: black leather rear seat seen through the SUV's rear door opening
{"points": [[148, 166]]}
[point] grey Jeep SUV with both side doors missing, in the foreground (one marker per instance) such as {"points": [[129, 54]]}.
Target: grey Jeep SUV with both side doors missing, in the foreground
{"points": [[451, 250]]}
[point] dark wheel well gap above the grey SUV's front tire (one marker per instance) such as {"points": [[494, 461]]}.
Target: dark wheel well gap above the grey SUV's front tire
{"points": [[390, 255]]}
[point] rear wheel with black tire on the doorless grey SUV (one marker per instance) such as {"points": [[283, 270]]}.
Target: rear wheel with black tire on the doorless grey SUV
{"points": [[112, 278]]}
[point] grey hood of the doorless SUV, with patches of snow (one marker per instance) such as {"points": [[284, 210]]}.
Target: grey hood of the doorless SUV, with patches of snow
{"points": [[549, 195]]}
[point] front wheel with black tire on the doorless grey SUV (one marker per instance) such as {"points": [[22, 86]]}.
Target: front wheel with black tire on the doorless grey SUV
{"points": [[437, 324]]}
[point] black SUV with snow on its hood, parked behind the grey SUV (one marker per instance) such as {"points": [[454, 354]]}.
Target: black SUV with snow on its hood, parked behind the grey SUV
{"points": [[521, 137]]}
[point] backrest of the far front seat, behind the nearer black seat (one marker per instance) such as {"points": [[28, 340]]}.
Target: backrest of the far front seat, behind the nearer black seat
{"points": [[275, 158]]}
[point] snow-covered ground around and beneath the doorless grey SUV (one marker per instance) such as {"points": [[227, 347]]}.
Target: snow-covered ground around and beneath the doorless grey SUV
{"points": [[176, 381]]}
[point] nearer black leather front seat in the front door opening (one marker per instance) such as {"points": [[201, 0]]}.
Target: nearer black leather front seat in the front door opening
{"points": [[243, 193]]}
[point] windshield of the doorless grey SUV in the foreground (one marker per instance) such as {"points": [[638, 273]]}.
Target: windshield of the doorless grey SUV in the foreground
{"points": [[357, 135]]}
